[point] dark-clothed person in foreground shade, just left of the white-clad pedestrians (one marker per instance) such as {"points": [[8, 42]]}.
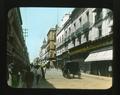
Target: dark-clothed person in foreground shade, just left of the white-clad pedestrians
{"points": [[29, 76]]}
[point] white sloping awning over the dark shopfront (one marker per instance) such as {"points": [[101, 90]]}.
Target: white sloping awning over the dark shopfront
{"points": [[100, 56]]}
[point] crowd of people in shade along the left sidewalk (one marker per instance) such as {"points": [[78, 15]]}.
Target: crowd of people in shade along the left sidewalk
{"points": [[26, 77]]}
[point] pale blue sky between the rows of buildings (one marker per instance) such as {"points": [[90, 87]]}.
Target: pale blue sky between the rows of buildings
{"points": [[37, 22]]}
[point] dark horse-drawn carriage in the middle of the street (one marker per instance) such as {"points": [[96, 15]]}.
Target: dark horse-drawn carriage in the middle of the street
{"points": [[71, 67]]}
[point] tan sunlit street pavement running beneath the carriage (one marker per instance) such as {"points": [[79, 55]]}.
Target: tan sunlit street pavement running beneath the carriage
{"points": [[54, 79]]}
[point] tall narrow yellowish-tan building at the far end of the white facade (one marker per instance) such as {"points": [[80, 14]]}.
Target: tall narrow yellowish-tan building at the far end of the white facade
{"points": [[51, 46]]}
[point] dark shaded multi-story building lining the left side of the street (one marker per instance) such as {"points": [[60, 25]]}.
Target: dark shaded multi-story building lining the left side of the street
{"points": [[16, 47]]}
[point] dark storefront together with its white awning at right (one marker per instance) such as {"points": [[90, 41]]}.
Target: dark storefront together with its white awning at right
{"points": [[99, 61]]}
